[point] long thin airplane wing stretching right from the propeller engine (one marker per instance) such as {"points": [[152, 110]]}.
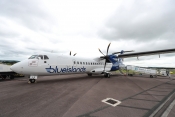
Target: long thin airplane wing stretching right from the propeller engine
{"points": [[147, 53]]}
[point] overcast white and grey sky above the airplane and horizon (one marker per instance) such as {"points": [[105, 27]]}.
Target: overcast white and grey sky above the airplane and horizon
{"points": [[83, 26]]}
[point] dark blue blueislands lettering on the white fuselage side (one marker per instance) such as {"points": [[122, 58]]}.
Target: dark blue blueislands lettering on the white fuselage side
{"points": [[65, 70]]}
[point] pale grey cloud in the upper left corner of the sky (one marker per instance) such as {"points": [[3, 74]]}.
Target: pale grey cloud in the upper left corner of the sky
{"points": [[31, 14]]}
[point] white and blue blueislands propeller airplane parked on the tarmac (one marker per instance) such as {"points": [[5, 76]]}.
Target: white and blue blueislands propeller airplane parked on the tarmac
{"points": [[53, 64]]}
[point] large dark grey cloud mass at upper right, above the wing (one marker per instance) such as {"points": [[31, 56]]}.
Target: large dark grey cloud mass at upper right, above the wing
{"points": [[141, 21]]}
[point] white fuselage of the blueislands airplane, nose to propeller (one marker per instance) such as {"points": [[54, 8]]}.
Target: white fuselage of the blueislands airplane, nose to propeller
{"points": [[56, 64]]}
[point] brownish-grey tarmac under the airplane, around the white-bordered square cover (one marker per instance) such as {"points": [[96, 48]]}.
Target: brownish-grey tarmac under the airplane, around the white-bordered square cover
{"points": [[80, 95]]}
